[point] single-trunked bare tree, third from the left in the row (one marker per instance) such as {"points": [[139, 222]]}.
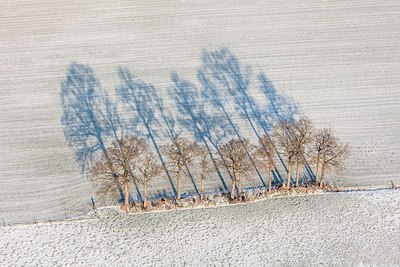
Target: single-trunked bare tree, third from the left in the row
{"points": [[180, 153]]}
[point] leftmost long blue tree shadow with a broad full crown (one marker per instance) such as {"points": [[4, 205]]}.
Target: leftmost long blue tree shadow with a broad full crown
{"points": [[89, 117]]}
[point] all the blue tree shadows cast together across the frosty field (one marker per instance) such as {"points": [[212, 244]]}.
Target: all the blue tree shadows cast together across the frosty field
{"points": [[213, 109]]}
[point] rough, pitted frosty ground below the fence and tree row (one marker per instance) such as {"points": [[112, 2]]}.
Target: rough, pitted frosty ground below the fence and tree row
{"points": [[332, 229]]}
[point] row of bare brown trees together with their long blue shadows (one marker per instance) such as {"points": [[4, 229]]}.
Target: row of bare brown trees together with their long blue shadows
{"points": [[118, 140]]}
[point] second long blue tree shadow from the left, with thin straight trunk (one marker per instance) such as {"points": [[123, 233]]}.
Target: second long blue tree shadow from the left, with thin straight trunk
{"points": [[142, 99]]}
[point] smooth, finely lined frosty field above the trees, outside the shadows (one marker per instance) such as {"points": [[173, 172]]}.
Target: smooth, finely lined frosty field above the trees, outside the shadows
{"points": [[339, 60]]}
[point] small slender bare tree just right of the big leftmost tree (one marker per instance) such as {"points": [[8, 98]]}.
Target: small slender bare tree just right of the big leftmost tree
{"points": [[145, 170]]}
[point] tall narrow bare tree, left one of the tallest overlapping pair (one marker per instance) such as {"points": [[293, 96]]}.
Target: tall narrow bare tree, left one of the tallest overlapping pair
{"points": [[282, 134]]}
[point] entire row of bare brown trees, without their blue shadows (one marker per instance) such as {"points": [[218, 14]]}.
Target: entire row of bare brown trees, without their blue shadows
{"points": [[130, 160]]}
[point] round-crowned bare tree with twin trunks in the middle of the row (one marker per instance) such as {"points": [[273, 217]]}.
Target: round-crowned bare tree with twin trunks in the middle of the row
{"points": [[237, 161]]}
